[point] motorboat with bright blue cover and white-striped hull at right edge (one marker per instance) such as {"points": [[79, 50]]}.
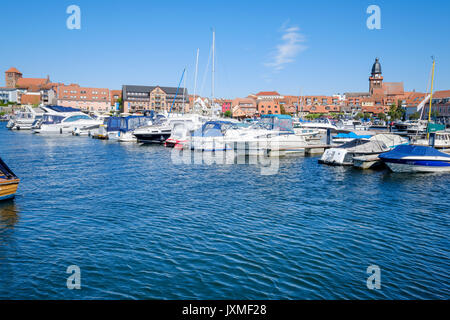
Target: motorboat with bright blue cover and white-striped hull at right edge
{"points": [[409, 158]]}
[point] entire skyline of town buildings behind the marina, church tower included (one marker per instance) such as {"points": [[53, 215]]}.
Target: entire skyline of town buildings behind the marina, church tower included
{"points": [[135, 98]]}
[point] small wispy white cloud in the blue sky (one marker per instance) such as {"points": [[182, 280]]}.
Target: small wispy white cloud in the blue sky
{"points": [[286, 52]]}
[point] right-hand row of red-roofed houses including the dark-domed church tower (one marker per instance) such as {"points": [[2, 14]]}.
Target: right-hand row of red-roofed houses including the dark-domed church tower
{"points": [[379, 99]]}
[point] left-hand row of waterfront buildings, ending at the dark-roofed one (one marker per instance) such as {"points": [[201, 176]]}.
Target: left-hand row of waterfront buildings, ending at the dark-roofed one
{"points": [[42, 91]]}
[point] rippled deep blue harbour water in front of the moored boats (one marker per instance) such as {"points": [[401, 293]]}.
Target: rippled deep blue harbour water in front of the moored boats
{"points": [[140, 227]]}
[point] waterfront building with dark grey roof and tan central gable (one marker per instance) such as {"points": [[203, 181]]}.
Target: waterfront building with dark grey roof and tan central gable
{"points": [[142, 98]]}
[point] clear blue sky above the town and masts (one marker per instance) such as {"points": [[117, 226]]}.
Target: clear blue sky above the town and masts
{"points": [[318, 47]]}
